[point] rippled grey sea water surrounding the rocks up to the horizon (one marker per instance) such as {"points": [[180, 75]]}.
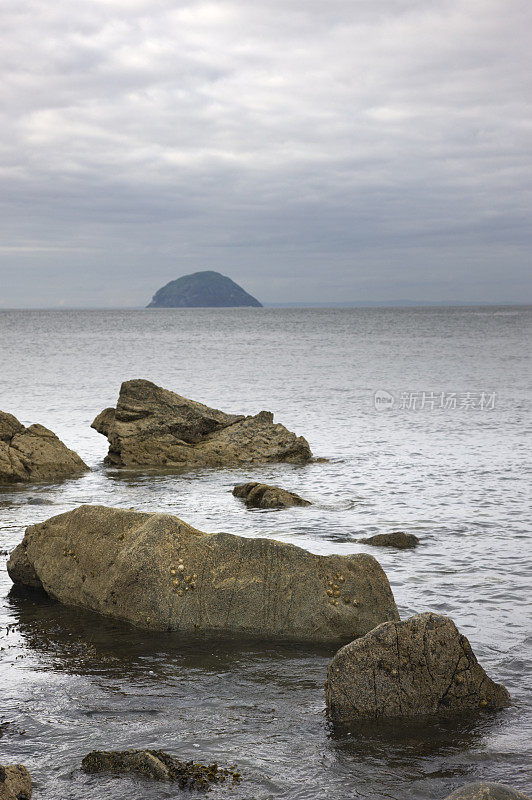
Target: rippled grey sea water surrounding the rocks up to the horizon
{"points": [[456, 477]]}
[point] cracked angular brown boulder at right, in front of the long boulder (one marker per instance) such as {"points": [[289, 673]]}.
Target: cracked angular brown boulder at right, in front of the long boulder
{"points": [[422, 665]]}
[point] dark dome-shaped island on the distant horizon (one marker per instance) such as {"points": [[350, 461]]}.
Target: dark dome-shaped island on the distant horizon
{"points": [[206, 289]]}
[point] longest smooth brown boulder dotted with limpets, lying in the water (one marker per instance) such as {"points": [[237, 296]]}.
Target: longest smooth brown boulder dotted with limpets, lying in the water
{"points": [[155, 571]]}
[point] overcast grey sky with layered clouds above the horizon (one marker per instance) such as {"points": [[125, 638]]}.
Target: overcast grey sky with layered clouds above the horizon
{"points": [[339, 150]]}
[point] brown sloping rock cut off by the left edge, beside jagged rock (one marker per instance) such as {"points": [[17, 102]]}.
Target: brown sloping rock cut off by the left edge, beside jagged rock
{"points": [[34, 453]]}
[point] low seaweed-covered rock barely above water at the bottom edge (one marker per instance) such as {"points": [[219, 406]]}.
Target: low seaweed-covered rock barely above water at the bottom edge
{"points": [[160, 766]]}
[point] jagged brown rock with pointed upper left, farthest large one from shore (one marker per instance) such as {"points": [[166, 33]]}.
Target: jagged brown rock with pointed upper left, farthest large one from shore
{"points": [[151, 426]]}
